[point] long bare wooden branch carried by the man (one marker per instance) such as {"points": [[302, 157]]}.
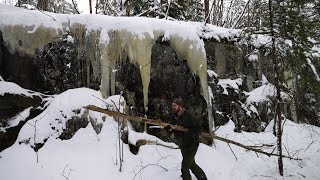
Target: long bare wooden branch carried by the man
{"points": [[178, 128]]}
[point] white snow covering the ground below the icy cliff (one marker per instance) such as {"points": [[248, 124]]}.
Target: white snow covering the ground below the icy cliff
{"points": [[88, 155]]}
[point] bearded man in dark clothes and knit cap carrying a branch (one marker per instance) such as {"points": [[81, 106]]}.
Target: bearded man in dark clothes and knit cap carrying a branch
{"points": [[188, 142]]}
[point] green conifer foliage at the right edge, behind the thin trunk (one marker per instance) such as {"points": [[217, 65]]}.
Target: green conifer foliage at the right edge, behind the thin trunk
{"points": [[298, 27]]}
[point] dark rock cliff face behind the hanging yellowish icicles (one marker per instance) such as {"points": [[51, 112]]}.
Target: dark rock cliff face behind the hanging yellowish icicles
{"points": [[70, 61]]}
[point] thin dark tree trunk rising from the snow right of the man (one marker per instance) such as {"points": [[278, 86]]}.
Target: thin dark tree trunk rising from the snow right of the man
{"points": [[279, 100]]}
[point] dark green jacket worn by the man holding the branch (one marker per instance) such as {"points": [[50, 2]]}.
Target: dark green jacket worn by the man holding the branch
{"points": [[190, 138]]}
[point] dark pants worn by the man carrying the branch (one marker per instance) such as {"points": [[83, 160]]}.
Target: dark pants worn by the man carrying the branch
{"points": [[188, 163]]}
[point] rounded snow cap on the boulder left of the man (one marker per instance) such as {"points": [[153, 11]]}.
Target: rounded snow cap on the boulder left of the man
{"points": [[61, 108]]}
